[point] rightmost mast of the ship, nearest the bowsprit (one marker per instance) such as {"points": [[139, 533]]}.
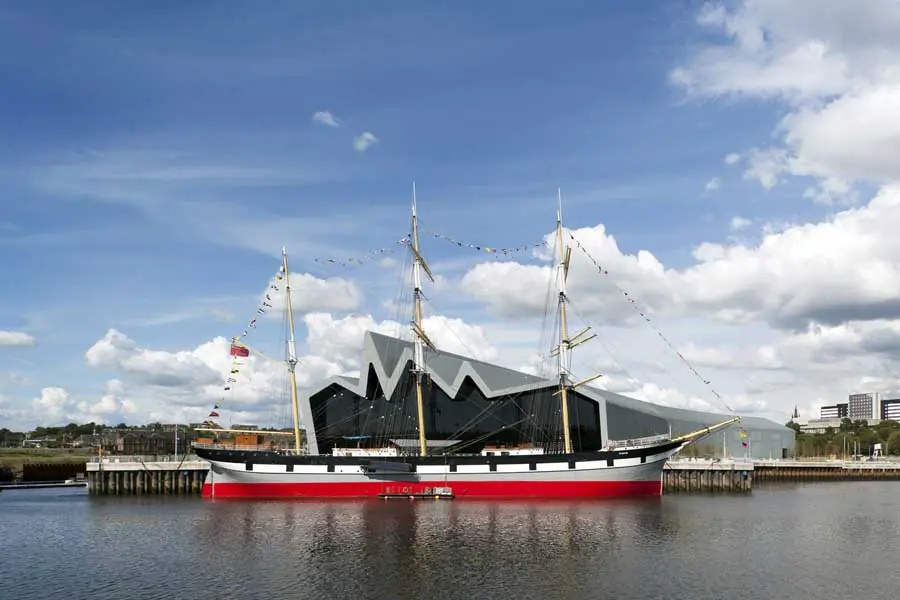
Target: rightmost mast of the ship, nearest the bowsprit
{"points": [[566, 343]]}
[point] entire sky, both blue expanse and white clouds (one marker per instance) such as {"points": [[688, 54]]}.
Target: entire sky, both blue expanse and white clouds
{"points": [[732, 166]]}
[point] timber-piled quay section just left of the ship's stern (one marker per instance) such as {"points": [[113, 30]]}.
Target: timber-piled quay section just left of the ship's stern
{"points": [[146, 475]]}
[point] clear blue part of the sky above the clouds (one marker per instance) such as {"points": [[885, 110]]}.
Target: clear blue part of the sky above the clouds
{"points": [[155, 158]]}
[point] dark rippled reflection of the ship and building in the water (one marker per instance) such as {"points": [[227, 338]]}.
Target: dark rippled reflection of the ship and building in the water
{"points": [[439, 549]]}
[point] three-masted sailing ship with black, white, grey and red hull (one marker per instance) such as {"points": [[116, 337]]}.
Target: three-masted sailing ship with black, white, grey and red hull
{"points": [[396, 465]]}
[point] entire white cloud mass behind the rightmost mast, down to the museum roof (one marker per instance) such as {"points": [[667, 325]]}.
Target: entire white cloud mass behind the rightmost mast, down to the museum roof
{"points": [[811, 309]]}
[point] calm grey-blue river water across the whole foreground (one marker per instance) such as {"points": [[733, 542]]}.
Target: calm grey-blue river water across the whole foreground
{"points": [[805, 541]]}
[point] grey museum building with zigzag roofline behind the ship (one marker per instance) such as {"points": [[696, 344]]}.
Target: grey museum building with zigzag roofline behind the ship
{"points": [[470, 403]]}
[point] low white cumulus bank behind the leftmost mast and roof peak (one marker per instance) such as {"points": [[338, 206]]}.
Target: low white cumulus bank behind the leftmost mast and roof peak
{"points": [[181, 385]]}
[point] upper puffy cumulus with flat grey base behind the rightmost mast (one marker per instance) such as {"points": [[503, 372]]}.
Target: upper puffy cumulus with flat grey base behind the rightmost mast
{"points": [[844, 268]]}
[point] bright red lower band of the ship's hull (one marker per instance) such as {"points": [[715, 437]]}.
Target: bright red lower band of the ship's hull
{"points": [[472, 489]]}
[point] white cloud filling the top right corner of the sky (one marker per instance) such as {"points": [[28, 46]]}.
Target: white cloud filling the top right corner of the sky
{"points": [[835, 68]]}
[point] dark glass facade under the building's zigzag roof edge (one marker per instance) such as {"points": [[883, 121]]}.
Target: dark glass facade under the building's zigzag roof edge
{"points": [[344, 418]]}
